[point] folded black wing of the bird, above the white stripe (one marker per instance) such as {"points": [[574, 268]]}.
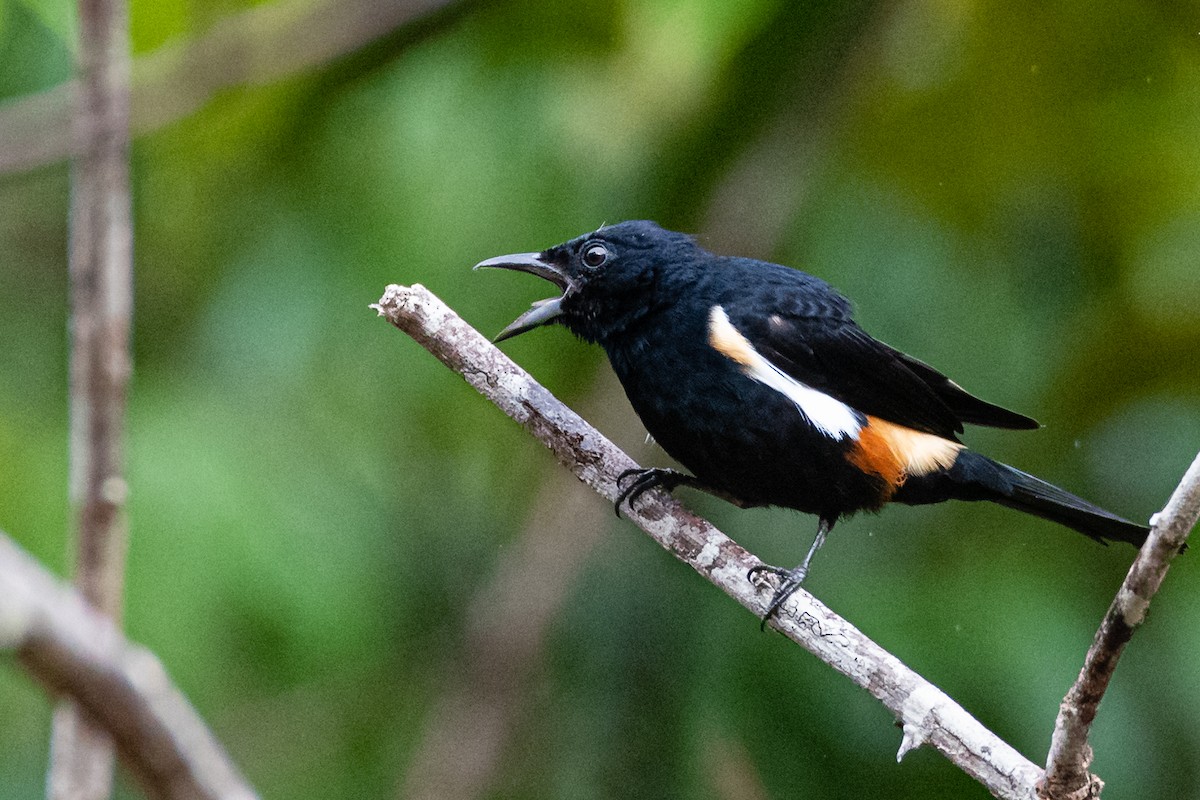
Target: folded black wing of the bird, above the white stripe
{"points": [[806, 329]]}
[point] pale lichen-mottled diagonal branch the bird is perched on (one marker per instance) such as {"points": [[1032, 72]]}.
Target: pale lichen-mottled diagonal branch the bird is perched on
{"points": [[927, 714]]}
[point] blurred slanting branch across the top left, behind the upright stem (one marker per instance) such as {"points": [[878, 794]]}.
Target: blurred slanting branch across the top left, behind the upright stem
{"points": [[257, 46]]}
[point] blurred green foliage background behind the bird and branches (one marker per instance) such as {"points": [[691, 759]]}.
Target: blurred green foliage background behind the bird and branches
{"points": [[373, 585]]}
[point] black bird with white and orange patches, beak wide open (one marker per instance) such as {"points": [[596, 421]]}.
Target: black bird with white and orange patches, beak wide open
{"points": [[758, 380]]}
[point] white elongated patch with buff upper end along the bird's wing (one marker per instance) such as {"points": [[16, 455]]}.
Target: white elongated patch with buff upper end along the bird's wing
{"points": [[827, 414]]}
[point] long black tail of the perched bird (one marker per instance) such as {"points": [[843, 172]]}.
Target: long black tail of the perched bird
{"points": [[979, 478]]}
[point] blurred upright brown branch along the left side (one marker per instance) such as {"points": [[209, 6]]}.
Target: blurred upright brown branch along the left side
{"points": [[101, 303]]}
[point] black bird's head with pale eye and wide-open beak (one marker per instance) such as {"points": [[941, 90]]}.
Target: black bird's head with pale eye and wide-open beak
{"points": [[610, 279]]}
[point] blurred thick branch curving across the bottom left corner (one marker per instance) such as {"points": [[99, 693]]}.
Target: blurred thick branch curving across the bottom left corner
{"points": [[77, 652]]}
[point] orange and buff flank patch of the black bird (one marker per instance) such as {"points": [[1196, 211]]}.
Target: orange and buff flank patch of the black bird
{"points": [[895, 453]]}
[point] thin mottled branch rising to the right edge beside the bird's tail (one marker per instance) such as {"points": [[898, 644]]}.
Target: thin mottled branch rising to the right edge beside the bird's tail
{"points": [[1067, 765]]}
